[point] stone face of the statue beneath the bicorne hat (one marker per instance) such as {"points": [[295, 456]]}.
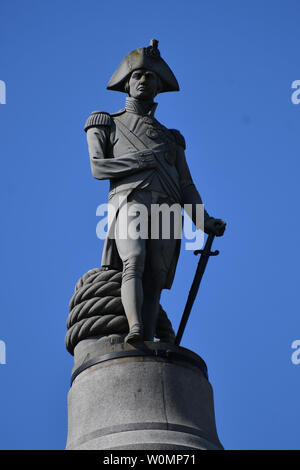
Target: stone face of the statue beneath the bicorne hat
{"points": [[143, 84]]}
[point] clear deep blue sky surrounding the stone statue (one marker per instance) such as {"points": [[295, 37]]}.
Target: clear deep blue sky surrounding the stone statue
{"points": [[235, 62]]}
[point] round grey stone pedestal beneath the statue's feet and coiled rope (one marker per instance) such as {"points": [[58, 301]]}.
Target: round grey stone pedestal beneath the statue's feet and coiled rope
{"points": [[152, 396]]}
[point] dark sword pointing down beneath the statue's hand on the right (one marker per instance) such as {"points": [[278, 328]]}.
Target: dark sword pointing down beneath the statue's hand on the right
{"points": [[205, 254]]}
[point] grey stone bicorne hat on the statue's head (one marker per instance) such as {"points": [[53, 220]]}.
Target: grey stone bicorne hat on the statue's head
{"points": [[144, 58]]}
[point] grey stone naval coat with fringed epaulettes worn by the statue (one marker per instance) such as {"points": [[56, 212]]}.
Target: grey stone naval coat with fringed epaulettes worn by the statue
{"points": [[135, 152]]}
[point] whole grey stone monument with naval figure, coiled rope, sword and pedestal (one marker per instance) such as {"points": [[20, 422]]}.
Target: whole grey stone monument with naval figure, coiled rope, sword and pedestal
{"points": [[128, 391]]}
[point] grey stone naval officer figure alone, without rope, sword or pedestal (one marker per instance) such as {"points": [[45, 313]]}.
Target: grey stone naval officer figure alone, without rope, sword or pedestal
{"points": [[146, 164]]}
